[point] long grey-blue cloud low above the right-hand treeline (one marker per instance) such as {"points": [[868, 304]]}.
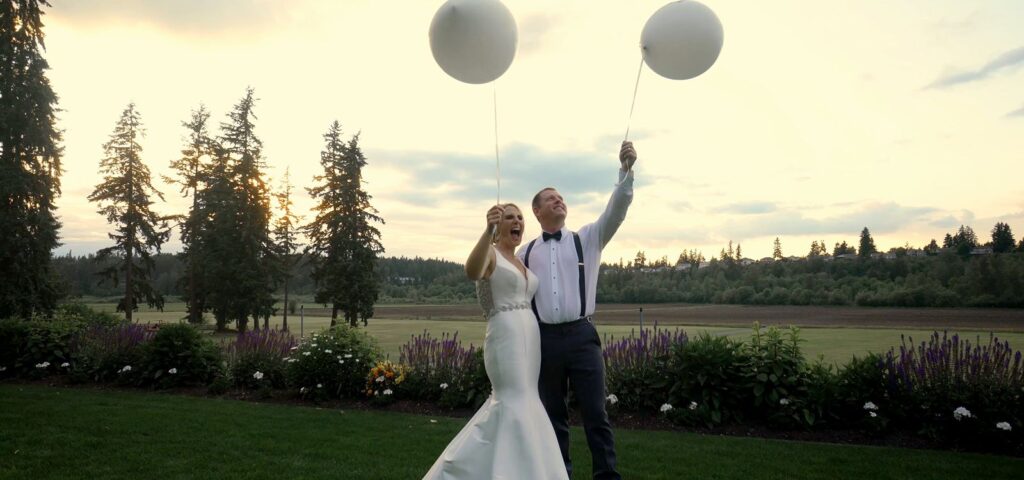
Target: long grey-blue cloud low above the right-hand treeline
{"points": [[880, 219]]}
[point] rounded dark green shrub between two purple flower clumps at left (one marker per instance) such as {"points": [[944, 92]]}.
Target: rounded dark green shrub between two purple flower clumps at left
{"points": [[180, 356]]}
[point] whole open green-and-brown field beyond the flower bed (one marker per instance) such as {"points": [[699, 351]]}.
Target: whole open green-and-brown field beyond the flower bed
{"points": [[835, 333]]}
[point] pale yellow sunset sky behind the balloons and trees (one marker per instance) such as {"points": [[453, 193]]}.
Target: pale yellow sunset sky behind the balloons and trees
{"points": [[819, 119]]}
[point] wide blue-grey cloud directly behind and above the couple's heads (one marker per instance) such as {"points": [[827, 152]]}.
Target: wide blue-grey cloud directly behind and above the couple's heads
{"points": [[525, 170]]}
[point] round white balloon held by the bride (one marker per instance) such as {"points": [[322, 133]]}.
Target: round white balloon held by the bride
{"points": [[474, 40]]}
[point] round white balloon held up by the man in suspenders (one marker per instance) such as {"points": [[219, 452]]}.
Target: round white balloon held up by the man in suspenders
{"points": [[681, 40]]}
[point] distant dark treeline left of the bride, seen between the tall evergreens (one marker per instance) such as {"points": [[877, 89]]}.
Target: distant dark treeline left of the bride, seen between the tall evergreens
{"points": [[402, 280]]}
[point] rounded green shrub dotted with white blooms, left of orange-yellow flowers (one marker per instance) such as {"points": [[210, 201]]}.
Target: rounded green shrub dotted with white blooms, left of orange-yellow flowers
{"points": [[333, 364]]}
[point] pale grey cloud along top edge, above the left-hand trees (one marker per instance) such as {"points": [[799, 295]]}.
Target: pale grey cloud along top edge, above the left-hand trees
{"points": [[191, 17]]}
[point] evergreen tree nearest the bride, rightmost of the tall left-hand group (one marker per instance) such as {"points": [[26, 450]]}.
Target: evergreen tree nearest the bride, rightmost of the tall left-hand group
{"points": [[344, 242]]}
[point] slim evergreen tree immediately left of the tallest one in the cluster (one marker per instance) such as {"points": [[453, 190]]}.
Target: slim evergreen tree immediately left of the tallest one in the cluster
{"points": [[191, 170]]}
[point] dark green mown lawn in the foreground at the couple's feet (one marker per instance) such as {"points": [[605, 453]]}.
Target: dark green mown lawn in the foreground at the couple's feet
{"points": [[61, 433]]}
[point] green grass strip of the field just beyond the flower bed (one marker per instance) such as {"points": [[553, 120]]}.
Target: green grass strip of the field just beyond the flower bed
{"points": [[836, 345]]}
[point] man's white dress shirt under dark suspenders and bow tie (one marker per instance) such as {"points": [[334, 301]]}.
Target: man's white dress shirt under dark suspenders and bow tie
{"points": [[554, 263]]}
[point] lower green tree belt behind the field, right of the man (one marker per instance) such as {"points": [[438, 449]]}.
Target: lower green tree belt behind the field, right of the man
{"points": [[946, 280]]}
